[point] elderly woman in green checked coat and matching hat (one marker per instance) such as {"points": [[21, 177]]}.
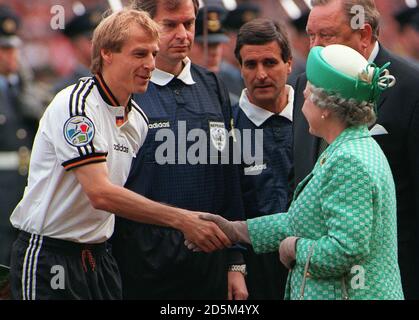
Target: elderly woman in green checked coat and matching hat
{"points": [[339, 236]]}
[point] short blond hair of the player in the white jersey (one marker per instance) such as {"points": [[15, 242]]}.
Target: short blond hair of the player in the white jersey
{"points": [[114, 30]]}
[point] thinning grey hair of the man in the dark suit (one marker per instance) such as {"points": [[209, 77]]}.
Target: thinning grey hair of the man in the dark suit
{"points": [[372, 16]]}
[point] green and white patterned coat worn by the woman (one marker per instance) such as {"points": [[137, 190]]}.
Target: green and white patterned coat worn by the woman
{"points": [[345, 215]]}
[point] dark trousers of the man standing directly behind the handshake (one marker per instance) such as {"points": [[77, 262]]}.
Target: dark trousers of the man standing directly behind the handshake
{"points": [[156, 265]]}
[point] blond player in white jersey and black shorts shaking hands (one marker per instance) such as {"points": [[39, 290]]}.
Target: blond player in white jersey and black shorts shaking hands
{"points": [[81, 158]]}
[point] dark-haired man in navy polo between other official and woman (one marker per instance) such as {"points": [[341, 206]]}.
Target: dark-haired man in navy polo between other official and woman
{"points": [[265, 107]]}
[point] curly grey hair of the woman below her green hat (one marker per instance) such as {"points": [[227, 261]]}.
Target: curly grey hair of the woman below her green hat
{"points": [[349, 111]]}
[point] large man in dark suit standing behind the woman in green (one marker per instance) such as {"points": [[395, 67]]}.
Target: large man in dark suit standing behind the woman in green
{"points": [[397, 126]]}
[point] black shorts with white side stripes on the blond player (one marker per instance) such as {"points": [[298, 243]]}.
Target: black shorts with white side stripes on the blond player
{"points": [[47, 268]]}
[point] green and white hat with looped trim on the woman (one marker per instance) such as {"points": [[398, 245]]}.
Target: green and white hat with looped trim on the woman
{"points": [[341, 70]]}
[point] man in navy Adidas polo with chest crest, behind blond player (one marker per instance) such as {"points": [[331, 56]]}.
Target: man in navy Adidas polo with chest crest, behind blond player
{"points": [[154, 262]]}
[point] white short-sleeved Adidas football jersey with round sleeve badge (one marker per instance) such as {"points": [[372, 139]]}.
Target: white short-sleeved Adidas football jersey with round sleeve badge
{"points": [[78, 128]]}
